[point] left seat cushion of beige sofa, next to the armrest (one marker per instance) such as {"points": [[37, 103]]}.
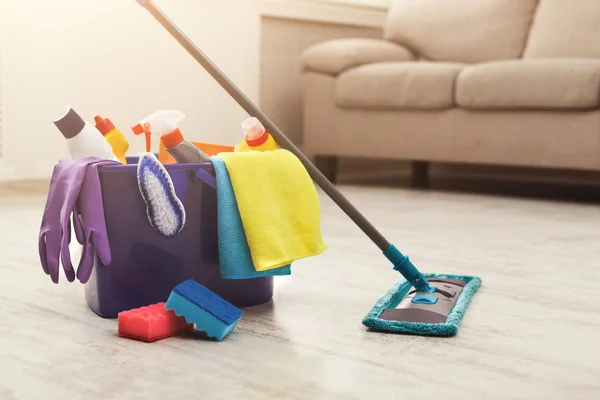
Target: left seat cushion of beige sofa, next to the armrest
{"points": [[398, 85]]}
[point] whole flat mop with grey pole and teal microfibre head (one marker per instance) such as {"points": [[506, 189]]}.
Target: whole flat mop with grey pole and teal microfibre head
{"points": [[427, 305]]}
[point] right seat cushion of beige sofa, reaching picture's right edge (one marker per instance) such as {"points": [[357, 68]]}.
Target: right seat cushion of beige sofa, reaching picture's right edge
{"points": [[530, 84]]}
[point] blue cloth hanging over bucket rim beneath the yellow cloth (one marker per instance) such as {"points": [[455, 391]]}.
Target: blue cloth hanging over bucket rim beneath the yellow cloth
{"points": [[234, 253]]}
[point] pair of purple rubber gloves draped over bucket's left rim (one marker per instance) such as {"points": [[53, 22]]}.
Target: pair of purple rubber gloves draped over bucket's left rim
{"points": [[69, 179]]}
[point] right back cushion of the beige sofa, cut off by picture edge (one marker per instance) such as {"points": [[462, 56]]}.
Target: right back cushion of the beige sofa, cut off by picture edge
{"points": [[563, 28]]}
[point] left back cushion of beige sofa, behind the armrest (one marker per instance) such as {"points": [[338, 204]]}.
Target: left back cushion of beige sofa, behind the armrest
{"points": [[461, 30]]}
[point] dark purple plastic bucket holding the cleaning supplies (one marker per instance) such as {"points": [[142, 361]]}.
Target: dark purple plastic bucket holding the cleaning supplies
{"points": [[145, 267]]}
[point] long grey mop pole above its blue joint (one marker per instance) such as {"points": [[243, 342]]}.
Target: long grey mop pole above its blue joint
{"points": [[254, 111]]}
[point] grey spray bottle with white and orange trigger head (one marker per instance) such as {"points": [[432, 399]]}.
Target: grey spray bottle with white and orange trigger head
{"points": [[165, 124]]}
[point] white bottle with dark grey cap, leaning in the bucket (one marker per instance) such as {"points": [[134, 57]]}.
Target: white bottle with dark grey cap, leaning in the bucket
{"points": [[83, 138]]}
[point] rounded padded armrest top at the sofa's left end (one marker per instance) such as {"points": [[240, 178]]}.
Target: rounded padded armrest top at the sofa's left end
{"points": [[336, 56]]}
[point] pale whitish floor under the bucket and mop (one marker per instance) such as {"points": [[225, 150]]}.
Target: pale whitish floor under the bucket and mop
{"points": [[531, 332]]}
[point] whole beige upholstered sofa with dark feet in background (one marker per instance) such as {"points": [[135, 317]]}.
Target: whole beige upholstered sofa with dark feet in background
{"points": [[504, 82]]}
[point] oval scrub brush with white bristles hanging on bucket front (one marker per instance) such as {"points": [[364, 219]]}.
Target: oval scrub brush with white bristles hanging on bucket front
{"points": [[165, 211]]}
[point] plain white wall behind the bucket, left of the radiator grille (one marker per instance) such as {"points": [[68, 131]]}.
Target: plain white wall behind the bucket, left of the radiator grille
{"points": [[111, 57]]}
